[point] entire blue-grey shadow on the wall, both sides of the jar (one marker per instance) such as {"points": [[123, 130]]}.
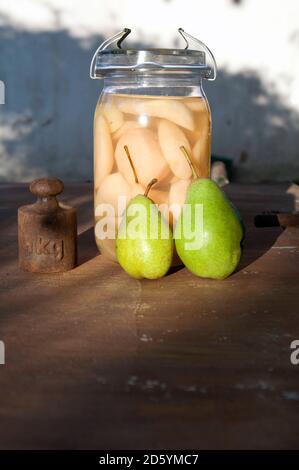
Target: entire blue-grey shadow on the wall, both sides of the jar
{"points": [[46, 123]]}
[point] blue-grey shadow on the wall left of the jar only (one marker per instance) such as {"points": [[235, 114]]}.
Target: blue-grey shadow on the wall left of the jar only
{"points": [[46, 121]]}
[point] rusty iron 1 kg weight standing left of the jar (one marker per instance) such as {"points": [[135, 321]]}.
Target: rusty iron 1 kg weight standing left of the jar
{"points": [[47, 230]]}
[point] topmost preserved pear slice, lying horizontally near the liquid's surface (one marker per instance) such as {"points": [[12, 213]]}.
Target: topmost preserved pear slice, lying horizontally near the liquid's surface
{"points": [[173, 110]]}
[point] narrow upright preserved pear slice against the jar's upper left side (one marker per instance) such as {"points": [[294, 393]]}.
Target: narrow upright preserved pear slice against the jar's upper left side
{"points": [[103, 150]]}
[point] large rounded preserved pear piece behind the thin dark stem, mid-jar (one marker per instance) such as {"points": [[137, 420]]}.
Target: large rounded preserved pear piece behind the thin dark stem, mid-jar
{"points": [[146, 156]]}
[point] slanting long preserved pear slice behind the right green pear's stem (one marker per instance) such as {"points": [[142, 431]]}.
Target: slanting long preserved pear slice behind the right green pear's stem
{"points": [[171, 138]]}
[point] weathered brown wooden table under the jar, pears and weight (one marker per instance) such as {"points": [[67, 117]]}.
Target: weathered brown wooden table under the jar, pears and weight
{"points": [[95, 359]]}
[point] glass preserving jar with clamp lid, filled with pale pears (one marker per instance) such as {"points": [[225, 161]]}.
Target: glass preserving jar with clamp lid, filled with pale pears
{"points": [[152, 119]]}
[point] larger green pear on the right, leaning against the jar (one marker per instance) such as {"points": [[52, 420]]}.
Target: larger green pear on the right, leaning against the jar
{"points": [[209, 217]]}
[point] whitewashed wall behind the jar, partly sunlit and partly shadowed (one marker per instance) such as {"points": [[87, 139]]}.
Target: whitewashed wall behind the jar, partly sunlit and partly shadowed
{"points": [[45, 50]]}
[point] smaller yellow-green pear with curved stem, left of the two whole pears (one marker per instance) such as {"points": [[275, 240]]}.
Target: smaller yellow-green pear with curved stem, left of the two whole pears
{"points": [[144, 243]]}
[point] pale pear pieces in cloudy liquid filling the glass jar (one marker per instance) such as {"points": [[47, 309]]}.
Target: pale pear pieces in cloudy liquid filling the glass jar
{"points": [[154, 129]]}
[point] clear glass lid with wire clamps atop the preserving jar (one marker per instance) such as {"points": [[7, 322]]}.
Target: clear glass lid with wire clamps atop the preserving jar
{"points": [[110, 57]]}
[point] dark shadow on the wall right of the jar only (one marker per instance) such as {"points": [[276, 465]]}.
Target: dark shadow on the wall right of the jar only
{"points": [[255, 127]]}
